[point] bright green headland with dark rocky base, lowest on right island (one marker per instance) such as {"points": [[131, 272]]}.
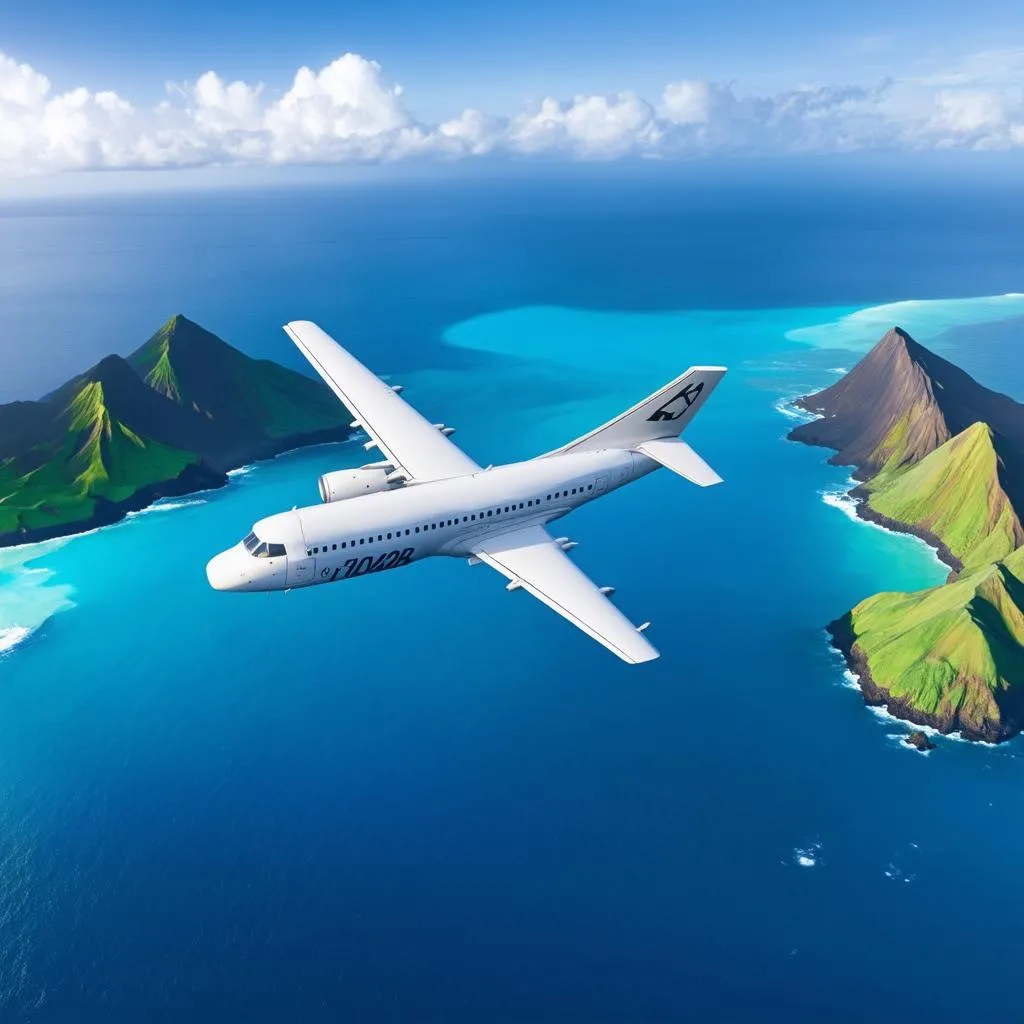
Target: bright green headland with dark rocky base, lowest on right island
{"points": [[952, 657]]}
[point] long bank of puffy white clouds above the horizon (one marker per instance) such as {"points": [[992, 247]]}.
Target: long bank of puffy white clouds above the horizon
{"points": [[351, 111]]}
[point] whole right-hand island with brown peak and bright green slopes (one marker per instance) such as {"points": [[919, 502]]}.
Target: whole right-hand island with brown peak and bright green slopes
{"points": [[937, 455]]}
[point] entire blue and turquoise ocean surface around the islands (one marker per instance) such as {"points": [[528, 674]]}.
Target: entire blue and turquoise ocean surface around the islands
{"points": [[416, 797]]}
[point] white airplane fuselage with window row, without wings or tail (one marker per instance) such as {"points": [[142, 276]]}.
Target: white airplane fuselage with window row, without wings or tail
{"points": [[391, 529]]}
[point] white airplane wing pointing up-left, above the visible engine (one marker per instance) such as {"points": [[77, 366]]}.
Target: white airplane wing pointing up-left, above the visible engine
{"points": [[411, 443]]}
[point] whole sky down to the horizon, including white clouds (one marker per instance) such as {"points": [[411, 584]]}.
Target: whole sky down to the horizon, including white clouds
{"points": [[199, 84]]}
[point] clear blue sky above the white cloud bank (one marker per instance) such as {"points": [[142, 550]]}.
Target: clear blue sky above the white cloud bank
{"points": [[457, 54]]}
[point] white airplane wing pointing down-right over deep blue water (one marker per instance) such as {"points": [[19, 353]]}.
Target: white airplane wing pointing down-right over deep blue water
{"points": [[534, 562]]}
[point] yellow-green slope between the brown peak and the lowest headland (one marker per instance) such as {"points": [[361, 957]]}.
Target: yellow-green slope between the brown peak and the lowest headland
{"points": [[955, 495]]}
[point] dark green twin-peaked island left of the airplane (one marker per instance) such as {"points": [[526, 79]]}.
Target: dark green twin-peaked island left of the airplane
{"points": [[173, 418]]}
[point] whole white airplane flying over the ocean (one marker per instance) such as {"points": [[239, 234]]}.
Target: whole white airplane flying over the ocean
{"points": [[426, 497]]}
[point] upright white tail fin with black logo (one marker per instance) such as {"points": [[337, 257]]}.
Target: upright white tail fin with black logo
{"points": [[666, 414]]}
